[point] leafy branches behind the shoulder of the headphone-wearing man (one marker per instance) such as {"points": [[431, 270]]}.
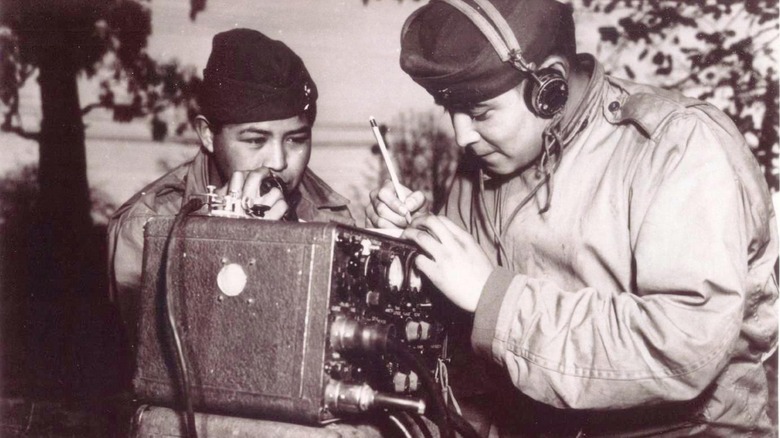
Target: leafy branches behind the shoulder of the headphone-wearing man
{"points": [[716, 50]]}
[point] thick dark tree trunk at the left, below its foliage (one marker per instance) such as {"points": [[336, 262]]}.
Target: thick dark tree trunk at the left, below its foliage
{"points": [[62, 227]]}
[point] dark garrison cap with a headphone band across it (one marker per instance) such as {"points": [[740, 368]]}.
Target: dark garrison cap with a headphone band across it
{"points": [[444, 52]]}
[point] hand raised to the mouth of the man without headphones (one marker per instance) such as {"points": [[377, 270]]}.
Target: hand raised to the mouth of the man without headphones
{"points": [[246, 186]]}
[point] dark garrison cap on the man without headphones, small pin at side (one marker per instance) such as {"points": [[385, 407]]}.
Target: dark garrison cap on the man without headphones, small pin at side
{"points": [[252, 78]]}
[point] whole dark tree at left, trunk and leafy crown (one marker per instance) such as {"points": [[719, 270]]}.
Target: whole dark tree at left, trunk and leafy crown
{"points": [[57, 42]]}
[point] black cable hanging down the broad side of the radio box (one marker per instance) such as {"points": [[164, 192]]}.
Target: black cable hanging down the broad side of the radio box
{"points": [[193, 205]]}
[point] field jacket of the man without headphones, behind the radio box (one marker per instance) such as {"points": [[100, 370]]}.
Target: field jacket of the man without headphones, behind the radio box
{"points": [[316, 202]]}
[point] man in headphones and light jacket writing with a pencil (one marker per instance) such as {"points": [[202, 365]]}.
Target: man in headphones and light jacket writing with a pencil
{"points": [[615, 242]]}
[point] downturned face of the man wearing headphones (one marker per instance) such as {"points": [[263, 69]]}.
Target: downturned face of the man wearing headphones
{"points": [[502, 132]]}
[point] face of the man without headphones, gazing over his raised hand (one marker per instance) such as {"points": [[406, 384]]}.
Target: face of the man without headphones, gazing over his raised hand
{"points": [[281, 146]]}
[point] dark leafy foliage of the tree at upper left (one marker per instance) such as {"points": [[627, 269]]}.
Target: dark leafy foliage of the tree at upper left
{"points": [[104, 40]]}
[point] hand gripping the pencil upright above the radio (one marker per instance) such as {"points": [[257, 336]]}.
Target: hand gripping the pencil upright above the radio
{"points": [[387, 211]]}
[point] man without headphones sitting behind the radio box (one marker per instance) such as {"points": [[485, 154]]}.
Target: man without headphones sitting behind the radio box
{"points": [[258, 104]]}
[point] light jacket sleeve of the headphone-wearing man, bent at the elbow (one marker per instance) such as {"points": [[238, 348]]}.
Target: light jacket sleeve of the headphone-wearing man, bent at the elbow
{"points": [[670, 335]]}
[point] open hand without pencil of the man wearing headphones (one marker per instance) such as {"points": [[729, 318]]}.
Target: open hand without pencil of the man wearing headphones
{"points": [[455, 263]]}
